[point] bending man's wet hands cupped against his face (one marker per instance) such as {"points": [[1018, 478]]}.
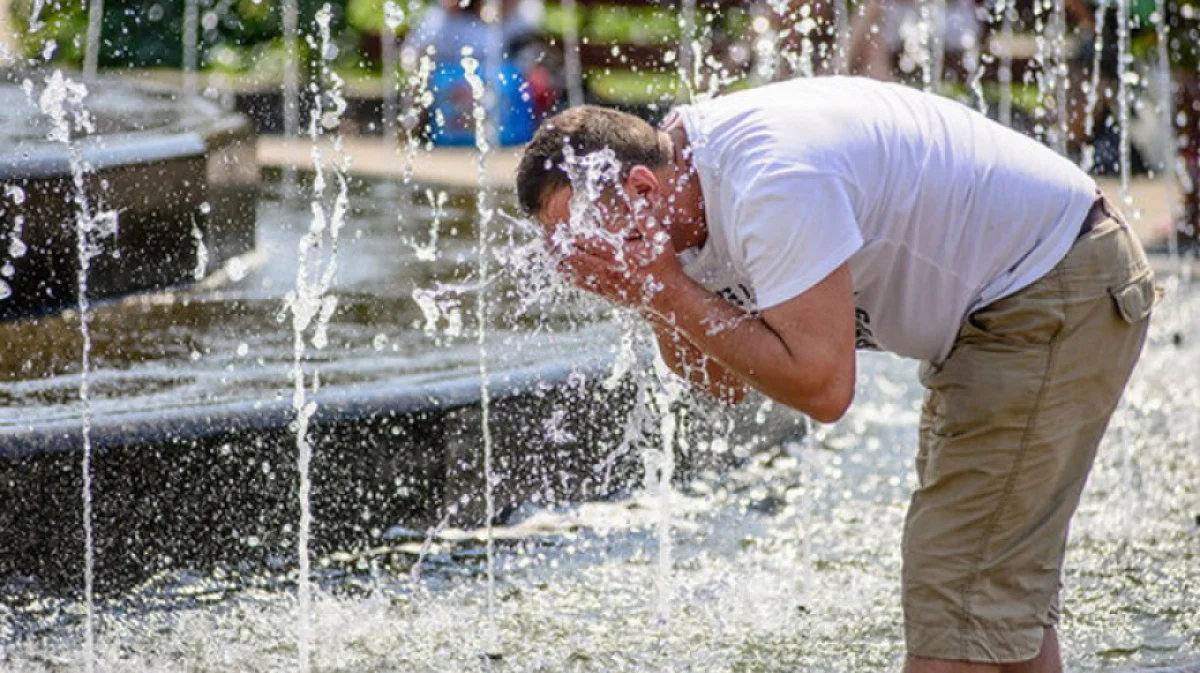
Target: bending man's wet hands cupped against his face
{"points": [[629, 271]]}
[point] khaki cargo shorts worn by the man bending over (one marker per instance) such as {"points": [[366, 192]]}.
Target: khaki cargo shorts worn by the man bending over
{"points": [[1010, 430]]}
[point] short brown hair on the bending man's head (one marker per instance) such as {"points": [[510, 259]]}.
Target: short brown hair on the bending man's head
{"points": [[586, 129]]}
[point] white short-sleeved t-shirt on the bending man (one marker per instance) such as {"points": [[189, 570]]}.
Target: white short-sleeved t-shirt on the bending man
{"points": [[938, 209]]}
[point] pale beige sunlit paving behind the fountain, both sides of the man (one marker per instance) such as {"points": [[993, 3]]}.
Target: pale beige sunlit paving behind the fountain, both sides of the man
{"points": [[1149, 209]]}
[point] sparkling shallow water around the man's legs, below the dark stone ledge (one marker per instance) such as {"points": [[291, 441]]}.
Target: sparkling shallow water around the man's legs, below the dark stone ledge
{"points": [[789, 562]]}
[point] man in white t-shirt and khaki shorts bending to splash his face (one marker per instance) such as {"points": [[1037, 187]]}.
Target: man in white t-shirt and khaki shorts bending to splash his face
{"points": [[770, 233]]}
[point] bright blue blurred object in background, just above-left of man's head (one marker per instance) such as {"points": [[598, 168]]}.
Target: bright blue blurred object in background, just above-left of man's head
{"points": [[452, 122]]}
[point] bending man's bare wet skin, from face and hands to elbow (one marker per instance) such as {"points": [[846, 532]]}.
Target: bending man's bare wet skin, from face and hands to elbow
{"points": [[800, 353]]}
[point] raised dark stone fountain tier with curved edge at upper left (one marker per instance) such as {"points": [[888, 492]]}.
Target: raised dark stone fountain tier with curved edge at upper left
{"points": [[193, 171]]}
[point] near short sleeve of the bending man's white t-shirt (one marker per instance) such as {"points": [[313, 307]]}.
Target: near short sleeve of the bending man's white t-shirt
{"points": [[793, 229]]}
